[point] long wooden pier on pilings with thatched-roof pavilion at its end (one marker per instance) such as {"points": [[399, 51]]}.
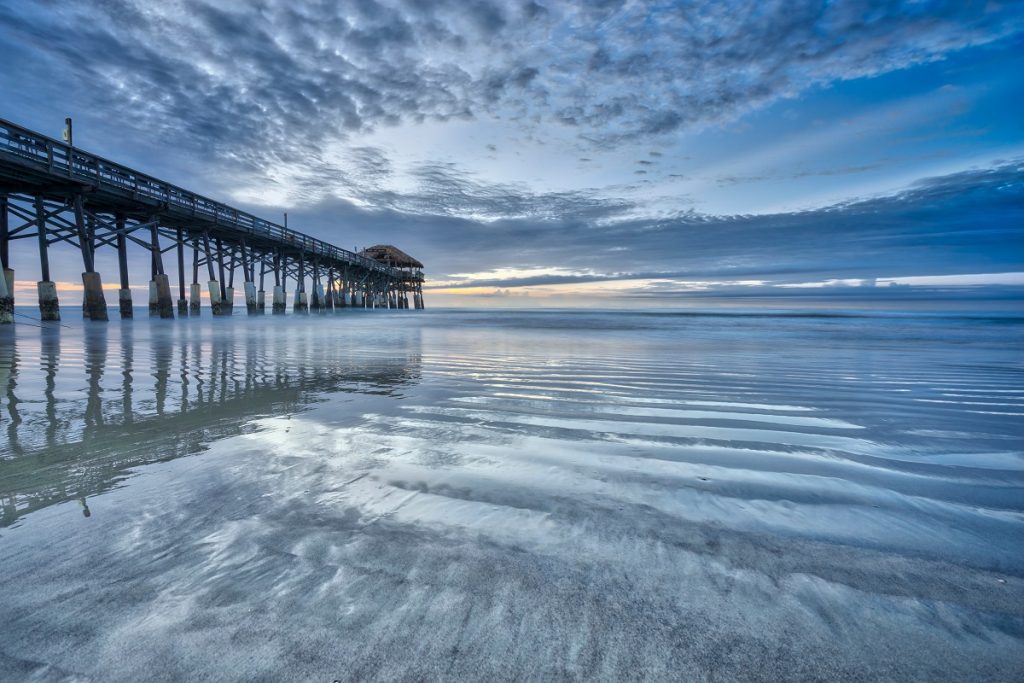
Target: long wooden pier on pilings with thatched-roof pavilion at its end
{"points": [[57, 193]]}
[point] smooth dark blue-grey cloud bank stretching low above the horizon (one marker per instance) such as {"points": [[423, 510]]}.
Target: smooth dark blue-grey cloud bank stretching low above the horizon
{"points": [[961, 224]]}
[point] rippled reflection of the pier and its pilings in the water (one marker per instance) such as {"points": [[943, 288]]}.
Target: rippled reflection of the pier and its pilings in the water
{"points": [[83, 407]]}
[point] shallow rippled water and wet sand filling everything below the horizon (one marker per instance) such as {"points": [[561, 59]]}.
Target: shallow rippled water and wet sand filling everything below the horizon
{"points": [[514, 495]]}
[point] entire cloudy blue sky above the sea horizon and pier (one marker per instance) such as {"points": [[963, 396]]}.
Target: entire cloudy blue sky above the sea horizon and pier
{"points": [[549, 154]]}
